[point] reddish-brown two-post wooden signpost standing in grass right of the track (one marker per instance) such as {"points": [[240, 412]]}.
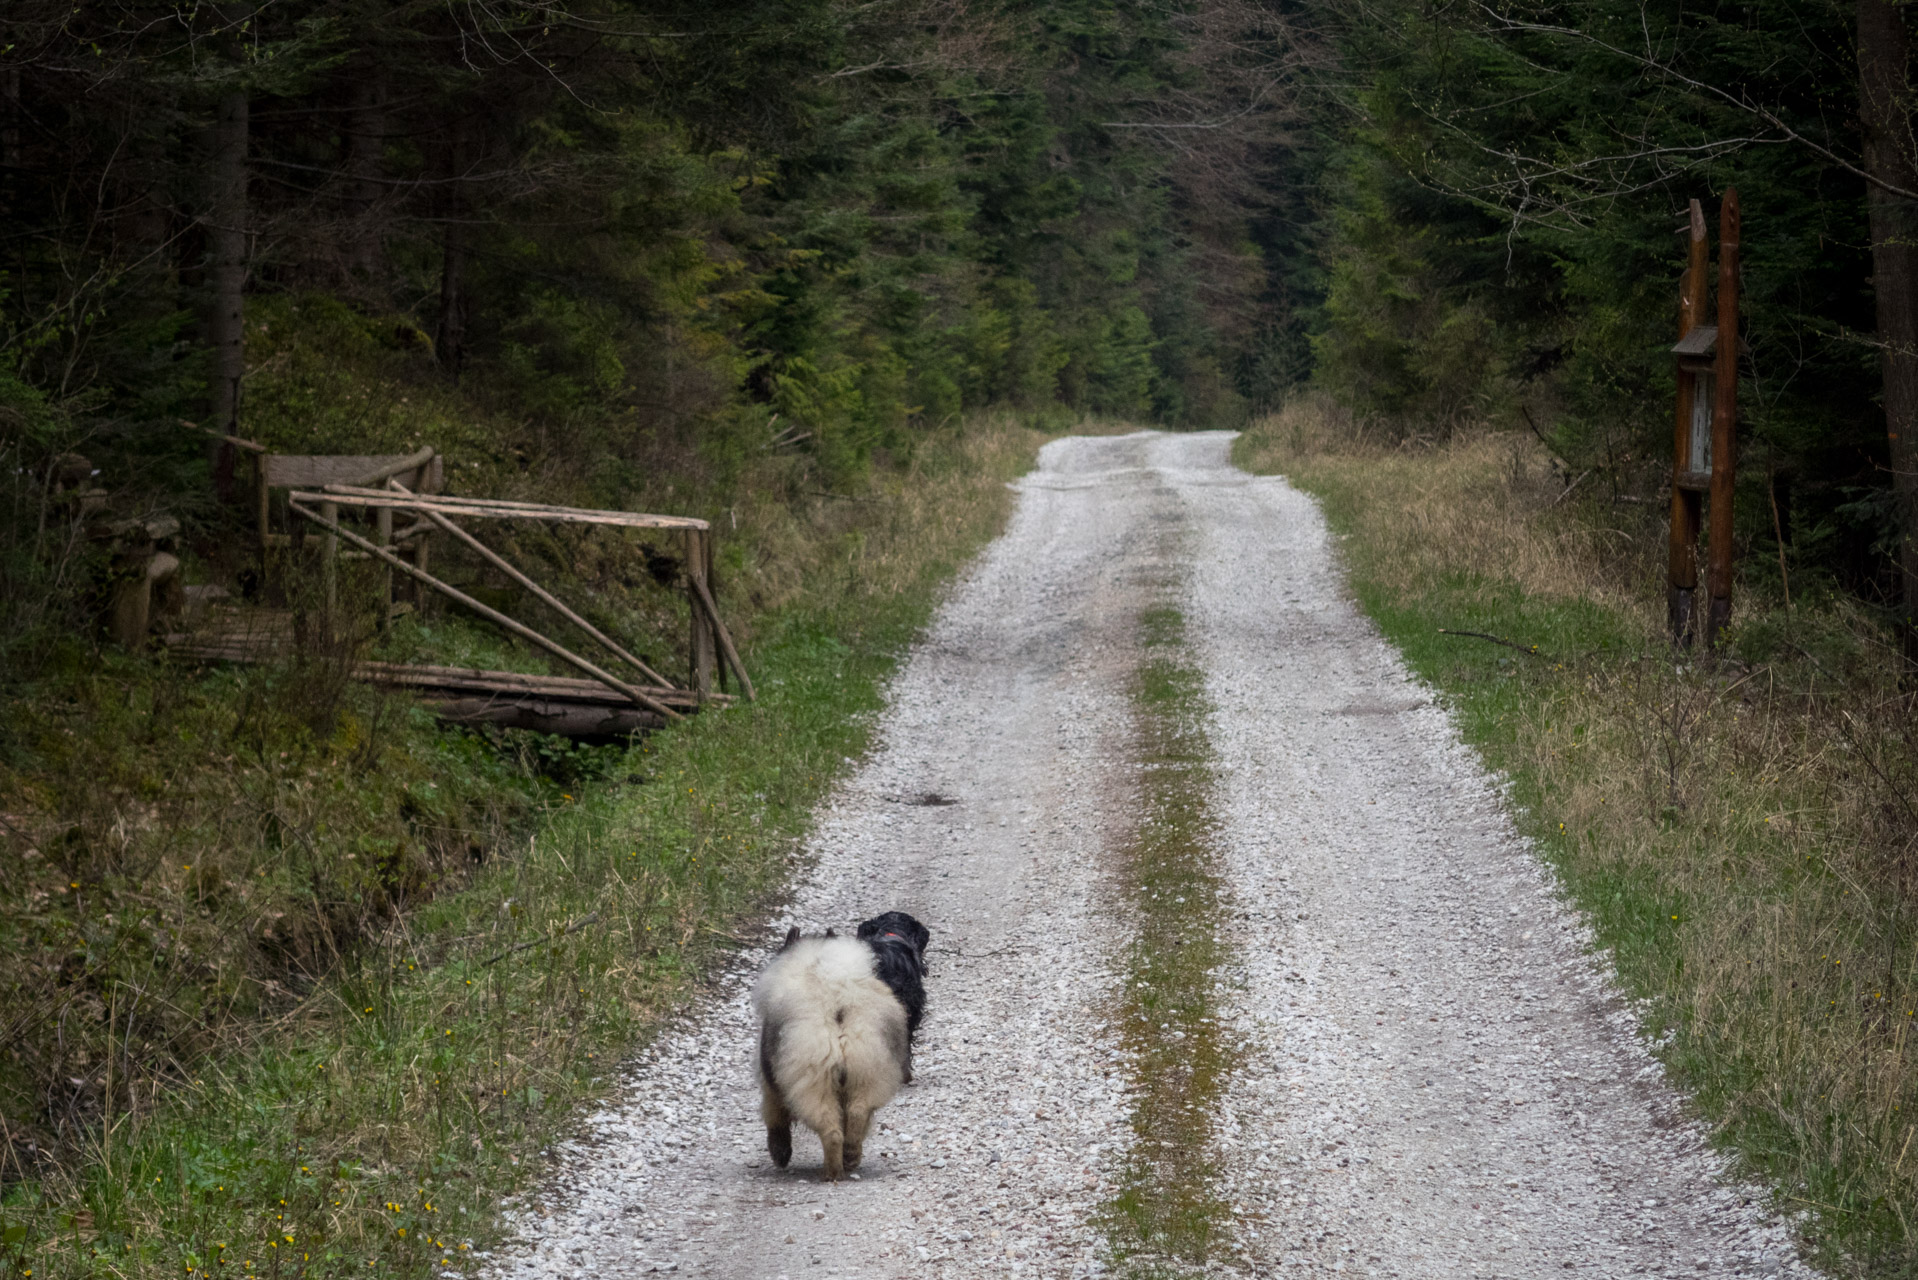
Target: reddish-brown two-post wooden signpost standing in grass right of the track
{"points": [[1706, 431]]}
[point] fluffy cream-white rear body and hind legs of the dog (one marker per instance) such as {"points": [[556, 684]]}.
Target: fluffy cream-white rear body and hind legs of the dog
{"points": [[839, 1043]]}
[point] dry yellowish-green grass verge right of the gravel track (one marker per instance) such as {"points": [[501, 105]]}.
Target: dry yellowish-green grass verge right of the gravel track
{"points": [[1739, 830]]}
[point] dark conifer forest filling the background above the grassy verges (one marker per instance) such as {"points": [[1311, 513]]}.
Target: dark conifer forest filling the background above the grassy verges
{"points": [[636, 227]]}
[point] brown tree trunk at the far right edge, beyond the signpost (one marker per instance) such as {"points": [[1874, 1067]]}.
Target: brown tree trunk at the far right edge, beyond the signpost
{"points": [[1884, 112]]}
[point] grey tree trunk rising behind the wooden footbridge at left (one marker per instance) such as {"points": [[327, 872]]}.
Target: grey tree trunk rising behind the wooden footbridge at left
{"points": [[227, 250]]}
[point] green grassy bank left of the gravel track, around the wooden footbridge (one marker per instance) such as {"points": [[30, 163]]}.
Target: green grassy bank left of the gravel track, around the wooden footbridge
{"points": [[369, 1118]]}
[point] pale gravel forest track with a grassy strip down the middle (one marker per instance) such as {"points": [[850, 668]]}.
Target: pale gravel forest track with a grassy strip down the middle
{"points": [[1430, 1074]]}
